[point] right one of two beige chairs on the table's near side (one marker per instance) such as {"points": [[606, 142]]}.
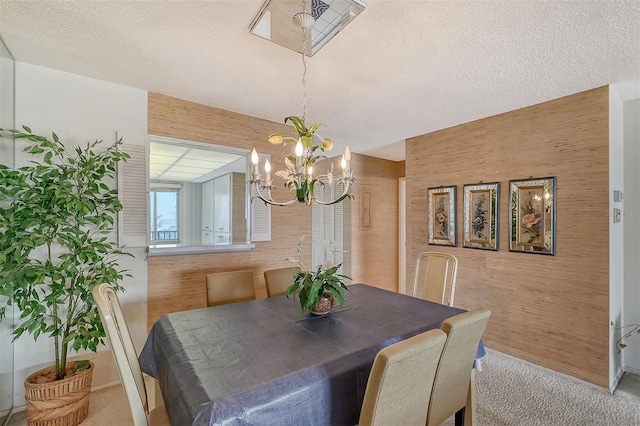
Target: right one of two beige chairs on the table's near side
{"points": [[454, 385]]}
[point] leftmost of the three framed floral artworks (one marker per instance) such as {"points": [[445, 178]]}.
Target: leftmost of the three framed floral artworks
{"points": [[441, 216]]}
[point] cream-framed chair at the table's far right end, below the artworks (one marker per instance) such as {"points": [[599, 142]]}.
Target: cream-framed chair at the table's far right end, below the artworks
{"points": [[435, 277]]}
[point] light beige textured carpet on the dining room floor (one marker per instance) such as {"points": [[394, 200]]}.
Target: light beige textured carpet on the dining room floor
{"points": [[510, 392]]}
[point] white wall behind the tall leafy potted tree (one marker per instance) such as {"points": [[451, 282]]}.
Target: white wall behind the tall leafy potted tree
{"points": [[80, 109]]}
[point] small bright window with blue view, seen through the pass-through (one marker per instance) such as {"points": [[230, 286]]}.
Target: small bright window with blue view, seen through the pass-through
{"points": [[165, 215]]}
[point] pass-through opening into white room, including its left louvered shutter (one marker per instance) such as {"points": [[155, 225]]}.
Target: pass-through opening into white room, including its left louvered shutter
{"points": [[175, 177]]}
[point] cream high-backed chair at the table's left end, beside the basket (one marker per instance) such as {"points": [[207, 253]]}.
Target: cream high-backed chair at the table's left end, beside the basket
{"points": [[126, 359]]}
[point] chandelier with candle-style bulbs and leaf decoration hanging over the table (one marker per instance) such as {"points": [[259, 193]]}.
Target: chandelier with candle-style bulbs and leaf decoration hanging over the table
{"points": [[309, 148]]}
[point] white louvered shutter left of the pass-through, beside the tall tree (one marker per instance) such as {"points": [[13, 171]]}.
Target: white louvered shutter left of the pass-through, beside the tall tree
{"points": [[133, 191]]}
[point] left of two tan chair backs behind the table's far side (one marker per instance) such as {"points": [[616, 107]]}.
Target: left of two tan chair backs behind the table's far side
{"points": [[230, 287]]}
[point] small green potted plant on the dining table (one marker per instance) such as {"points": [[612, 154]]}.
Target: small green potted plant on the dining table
{"points": [[317, 290]]}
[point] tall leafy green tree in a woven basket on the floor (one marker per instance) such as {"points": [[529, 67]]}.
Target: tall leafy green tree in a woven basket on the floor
{"points": [[57, 218]]}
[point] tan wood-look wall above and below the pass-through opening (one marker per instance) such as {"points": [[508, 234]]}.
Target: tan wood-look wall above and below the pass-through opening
{"points": [[177, 283]]}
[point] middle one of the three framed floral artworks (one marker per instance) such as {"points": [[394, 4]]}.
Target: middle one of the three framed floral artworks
{"points": [[480, 220]]}
